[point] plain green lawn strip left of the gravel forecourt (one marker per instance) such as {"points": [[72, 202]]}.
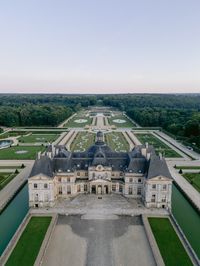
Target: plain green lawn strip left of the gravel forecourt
{"points": [[28, 246]]}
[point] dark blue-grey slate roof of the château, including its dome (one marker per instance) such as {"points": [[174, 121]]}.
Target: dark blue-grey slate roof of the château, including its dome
{"points": [[100, 153]]}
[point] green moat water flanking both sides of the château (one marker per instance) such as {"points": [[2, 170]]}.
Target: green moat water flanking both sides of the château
{"points": [[185, 214]]}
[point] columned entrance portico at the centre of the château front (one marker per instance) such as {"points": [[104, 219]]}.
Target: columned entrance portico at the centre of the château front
{"points": [[100, 187]]}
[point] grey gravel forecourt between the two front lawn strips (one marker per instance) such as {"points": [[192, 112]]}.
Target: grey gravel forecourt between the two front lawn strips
{"points": [[99, 241]]}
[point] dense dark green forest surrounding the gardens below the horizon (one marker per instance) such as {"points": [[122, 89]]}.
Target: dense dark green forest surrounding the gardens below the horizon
{"points": [[178, 114]]}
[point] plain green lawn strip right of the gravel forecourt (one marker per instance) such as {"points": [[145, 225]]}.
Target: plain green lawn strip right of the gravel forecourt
{"points": [[170, 246]]}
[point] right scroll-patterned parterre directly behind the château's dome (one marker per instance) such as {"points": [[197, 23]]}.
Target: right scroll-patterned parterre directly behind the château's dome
{"points": [[117, 142]]}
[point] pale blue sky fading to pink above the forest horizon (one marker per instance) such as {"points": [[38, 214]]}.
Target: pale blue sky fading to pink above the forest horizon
{"points": [[99, 46]]}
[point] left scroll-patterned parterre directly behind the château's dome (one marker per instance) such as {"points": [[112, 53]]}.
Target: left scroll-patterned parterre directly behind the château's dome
{"points": [[82, 141]]}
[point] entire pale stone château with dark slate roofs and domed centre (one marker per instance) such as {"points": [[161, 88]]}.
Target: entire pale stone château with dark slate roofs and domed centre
{"points": [[99, 170]]}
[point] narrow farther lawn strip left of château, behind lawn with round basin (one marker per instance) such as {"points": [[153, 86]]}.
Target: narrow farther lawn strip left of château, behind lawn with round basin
{"points": [[38, 138]]}
